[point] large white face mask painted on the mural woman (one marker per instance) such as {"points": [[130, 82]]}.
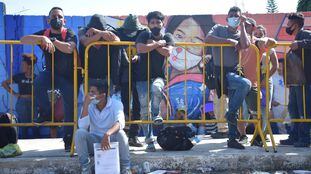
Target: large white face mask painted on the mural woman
{"points": [[177, 59]]}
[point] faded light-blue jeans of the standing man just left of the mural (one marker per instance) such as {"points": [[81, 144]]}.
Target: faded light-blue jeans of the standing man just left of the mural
{"points": [[156, 90]]}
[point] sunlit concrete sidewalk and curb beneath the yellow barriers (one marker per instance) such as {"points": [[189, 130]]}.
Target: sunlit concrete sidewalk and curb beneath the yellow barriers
{"points": [[210, 155]]}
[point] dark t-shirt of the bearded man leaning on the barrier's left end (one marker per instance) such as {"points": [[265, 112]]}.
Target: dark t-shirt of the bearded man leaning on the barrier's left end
{"points": [[63, 62]]}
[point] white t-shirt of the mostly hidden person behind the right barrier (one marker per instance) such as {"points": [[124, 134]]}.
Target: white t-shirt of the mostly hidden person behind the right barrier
{"points": [[279, 89]]}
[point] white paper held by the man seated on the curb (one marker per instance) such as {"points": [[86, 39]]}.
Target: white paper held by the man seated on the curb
{"points": [[107, 161]]}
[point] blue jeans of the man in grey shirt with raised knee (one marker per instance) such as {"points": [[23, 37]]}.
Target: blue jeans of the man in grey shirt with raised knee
{"points": [[238, 88]]}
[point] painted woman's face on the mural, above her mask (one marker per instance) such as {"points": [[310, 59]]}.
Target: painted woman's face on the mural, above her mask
{"points": [[190, 31]]}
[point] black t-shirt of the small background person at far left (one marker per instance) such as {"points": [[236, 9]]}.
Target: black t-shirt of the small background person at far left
{"points": [[24, 83]]}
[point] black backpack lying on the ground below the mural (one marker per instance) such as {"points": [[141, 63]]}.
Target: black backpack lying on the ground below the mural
{"points": [[175, 138]]}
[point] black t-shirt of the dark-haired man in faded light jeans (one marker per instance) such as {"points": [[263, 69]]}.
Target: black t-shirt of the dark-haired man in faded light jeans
{"points": [[156, 59]]}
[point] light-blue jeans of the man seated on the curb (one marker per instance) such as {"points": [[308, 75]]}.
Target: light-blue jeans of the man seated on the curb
{"points": [[85, 146]]}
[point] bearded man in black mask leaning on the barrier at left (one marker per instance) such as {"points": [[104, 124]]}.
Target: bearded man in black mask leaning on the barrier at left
{"points": [[61, 42]]}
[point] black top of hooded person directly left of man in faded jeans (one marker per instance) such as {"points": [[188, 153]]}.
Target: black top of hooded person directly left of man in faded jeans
{"points": [[124, 70]]}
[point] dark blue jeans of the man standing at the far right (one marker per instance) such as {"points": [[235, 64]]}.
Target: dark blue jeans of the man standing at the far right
{"points": [[299, 131]]}
